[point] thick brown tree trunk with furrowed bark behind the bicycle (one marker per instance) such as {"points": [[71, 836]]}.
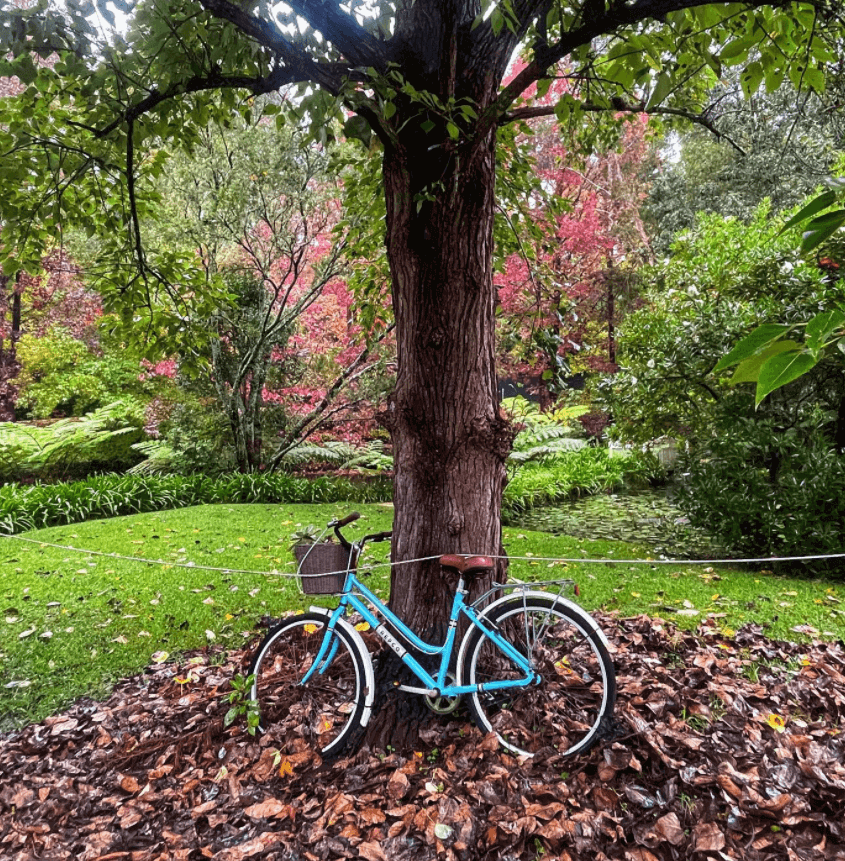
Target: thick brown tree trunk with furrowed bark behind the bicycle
{"points": [[450, 439]]}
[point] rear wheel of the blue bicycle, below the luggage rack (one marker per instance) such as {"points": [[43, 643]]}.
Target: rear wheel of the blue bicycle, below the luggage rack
{"points": [[567, 707]]}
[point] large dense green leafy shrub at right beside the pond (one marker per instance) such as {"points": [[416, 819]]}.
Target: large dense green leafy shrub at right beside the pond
{"points": [[755, 476]]}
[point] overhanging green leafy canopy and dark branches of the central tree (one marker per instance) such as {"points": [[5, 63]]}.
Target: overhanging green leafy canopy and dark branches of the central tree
{"points": [[93, 105]]}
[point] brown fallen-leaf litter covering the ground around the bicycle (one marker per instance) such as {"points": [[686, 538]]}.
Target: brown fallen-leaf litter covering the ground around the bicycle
{"points": [[724, 748]]}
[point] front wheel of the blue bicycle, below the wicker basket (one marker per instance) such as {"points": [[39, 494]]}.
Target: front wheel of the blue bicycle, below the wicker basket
{"points": [[324, 712]]}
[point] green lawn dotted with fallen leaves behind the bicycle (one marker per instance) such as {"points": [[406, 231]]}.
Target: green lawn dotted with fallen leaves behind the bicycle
{"points": [[72, 623]]}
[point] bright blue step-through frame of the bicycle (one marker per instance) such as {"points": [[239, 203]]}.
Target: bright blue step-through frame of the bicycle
{"points": [[371, 605]]}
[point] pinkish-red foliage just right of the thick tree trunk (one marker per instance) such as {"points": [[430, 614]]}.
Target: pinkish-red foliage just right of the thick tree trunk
{"points": [[574, 290]]}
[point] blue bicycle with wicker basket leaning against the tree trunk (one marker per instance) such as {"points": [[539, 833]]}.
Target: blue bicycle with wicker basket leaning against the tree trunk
{"points": [[533, 667]]}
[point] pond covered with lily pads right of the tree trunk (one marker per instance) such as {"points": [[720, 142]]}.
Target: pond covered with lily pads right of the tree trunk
{"points": [[644, 517]]}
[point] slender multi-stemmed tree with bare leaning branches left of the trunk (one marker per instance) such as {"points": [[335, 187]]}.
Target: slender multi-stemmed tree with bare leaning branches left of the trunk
{"points": [[257, 206]]}
